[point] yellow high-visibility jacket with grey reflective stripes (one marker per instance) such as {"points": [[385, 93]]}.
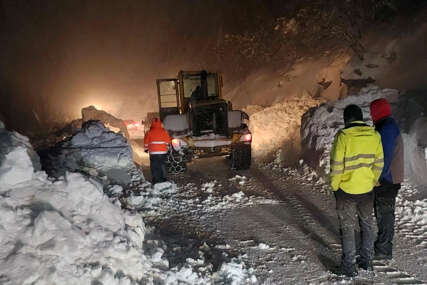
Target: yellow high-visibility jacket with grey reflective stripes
{"points": [[356, 159]]}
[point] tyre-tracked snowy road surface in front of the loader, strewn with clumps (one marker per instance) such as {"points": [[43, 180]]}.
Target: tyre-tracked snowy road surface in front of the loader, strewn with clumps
{"points": [[282, 223]]}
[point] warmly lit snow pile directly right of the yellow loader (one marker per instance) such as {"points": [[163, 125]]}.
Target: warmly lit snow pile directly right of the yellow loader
{"points": [[278, 127]]}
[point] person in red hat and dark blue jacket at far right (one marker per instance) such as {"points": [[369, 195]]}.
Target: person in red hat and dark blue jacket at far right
{"points": [[390, 179]]}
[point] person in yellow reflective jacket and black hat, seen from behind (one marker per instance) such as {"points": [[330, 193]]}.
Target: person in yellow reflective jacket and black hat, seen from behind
{"points": [[356, 165]]}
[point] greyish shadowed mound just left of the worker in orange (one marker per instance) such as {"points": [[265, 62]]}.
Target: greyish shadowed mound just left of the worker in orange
{"points": [[94, 150]]}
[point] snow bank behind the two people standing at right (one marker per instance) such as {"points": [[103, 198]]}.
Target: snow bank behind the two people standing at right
{"points": [[320, 125]]}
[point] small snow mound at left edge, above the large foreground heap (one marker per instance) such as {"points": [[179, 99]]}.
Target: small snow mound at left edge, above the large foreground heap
{"points": [[18, 160]]}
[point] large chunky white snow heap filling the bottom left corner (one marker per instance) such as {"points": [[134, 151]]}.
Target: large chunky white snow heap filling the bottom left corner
{"points": [[68, 232]]}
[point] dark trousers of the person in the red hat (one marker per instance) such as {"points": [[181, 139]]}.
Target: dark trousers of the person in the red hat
{"points": [[385, 204]]}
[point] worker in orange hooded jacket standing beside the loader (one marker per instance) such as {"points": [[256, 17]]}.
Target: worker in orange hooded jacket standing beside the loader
{"points": [[156, 142]]}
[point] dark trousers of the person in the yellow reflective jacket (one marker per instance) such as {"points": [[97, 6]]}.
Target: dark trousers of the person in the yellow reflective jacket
{"points": [[351, 209]]}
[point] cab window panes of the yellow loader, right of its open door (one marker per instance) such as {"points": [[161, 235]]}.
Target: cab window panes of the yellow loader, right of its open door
{"points": [[192, 84]]}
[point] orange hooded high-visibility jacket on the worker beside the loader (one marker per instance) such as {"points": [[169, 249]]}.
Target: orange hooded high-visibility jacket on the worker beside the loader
{"points": [[157, 139]]}
